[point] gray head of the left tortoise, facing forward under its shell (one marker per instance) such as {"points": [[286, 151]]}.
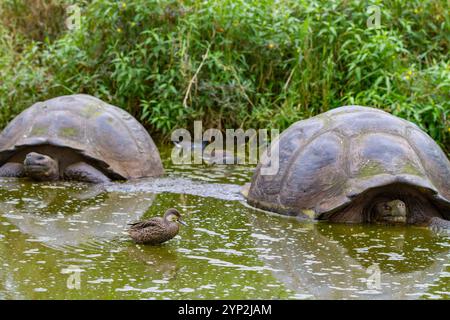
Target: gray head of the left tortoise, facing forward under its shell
{"points": [[41, 167]]}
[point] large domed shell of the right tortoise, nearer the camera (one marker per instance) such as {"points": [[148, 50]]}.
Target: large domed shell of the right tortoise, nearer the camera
{"points": [[327, 161]]}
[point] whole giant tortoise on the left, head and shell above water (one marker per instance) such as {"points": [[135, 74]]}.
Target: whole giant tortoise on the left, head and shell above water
{"points": [[77, 137]]}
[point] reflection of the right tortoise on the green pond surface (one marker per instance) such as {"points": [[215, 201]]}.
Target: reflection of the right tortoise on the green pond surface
{"points": [[326, 261]]}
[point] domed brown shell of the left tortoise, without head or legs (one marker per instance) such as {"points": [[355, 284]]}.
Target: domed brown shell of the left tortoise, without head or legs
{"points": [[103, 133]]}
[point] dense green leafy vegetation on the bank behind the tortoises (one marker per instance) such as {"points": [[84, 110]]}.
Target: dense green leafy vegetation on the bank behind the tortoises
{"points": [[231, 63]]}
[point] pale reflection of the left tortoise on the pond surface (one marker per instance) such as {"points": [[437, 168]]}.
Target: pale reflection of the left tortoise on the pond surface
{"points": [[51, 213]]}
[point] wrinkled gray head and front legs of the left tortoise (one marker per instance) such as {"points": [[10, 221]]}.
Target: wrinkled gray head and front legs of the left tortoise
{"points": [[41, 167]]}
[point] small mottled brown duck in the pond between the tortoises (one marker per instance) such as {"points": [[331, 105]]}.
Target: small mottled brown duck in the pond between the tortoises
{"points": [[156, 230]]}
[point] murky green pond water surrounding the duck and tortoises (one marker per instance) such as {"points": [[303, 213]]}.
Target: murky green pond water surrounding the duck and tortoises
{"points": [[60, 241]]}
